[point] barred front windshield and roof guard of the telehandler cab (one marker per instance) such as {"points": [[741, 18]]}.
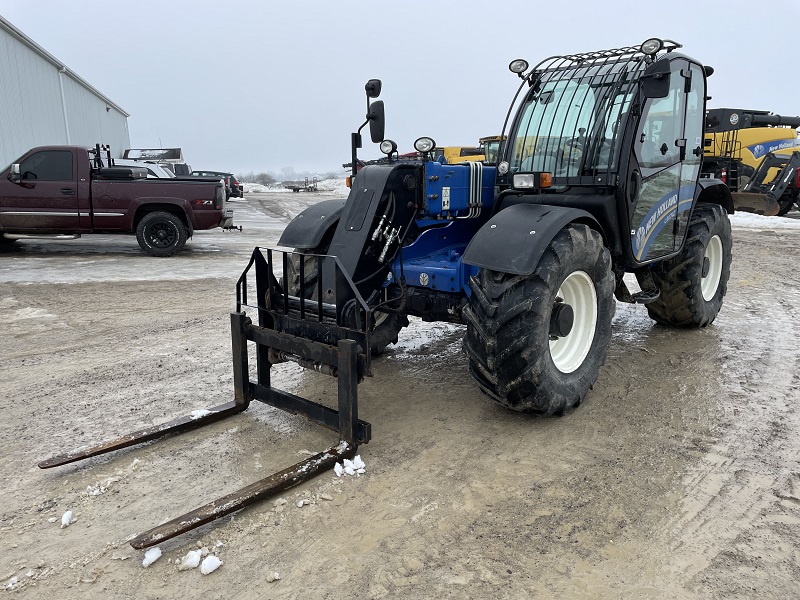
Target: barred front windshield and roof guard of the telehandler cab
{"points": [[570, 121]]}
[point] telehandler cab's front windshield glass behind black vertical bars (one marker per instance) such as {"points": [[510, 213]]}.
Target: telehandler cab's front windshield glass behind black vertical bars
{"points": [[571, 120]]}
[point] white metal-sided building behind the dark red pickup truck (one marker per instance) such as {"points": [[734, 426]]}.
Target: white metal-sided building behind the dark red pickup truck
{"points": [[42, 102]]}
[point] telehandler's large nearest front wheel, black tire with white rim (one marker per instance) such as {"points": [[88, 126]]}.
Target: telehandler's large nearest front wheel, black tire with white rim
{"points": [[536, 343]]}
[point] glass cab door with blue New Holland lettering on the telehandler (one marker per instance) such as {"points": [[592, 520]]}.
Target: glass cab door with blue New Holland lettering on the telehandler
{"points": [[660, 150]]}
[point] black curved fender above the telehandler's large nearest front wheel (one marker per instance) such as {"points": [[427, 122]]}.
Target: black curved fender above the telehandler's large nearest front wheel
{"points": [[514, 239]]}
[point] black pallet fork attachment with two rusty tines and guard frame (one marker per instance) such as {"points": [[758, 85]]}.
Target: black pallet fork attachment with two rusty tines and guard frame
{"points": [[332, 339]]}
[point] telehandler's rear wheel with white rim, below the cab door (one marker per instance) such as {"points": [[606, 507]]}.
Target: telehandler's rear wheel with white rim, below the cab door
{"points": [[693, 284]]}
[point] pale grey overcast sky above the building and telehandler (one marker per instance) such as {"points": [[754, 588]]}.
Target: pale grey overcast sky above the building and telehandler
{"points": [[261, 86]]}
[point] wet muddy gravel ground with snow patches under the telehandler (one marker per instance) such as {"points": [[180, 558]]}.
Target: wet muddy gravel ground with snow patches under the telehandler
{"points": [[679, 477]]}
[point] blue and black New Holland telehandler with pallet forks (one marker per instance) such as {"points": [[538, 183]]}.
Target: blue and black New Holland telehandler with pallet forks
{"points": [[598, 175]]}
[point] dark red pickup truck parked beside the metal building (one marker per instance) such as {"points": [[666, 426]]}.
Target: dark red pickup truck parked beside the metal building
{"points": [[58, 190]]}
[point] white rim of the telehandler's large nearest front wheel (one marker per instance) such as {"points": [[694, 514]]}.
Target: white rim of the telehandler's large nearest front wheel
{"points": [[569, 352]]}
